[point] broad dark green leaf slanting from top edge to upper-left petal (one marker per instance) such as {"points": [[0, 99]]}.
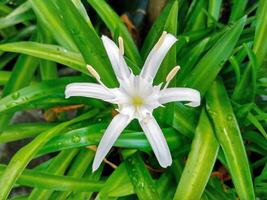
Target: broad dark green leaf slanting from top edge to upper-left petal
{"points": [[93, 52]]}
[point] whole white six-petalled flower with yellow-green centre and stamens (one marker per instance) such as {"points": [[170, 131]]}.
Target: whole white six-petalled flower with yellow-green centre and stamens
{"points": [[136, 97]]}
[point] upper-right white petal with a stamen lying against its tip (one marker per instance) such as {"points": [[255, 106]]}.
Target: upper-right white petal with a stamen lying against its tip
{"points": [[156, 57]]}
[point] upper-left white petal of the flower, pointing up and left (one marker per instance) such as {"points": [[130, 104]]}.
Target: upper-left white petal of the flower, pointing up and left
{"points": [[116, 58]]}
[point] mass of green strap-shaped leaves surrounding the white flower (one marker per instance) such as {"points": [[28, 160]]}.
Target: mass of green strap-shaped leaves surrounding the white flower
{"points": [[221, 49]]}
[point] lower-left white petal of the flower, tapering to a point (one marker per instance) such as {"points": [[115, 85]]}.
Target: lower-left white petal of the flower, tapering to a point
{"points": [[118, 123]]}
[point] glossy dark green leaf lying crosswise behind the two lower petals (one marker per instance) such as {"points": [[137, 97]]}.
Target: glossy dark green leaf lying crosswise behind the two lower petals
{"points": [[91, 135]]}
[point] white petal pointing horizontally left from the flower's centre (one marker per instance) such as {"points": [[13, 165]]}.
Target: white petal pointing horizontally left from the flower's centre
{"points": [[91, 90]]}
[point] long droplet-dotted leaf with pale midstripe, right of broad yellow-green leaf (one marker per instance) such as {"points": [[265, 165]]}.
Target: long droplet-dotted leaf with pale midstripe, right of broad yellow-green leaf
{"points": [[229, 137]]}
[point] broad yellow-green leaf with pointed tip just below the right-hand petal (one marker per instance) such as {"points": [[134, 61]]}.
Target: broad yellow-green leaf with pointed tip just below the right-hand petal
{"points": [[200, 161]]}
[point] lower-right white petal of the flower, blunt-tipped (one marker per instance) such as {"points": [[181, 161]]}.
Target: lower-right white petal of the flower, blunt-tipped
{"points": [[157, 141]]}
